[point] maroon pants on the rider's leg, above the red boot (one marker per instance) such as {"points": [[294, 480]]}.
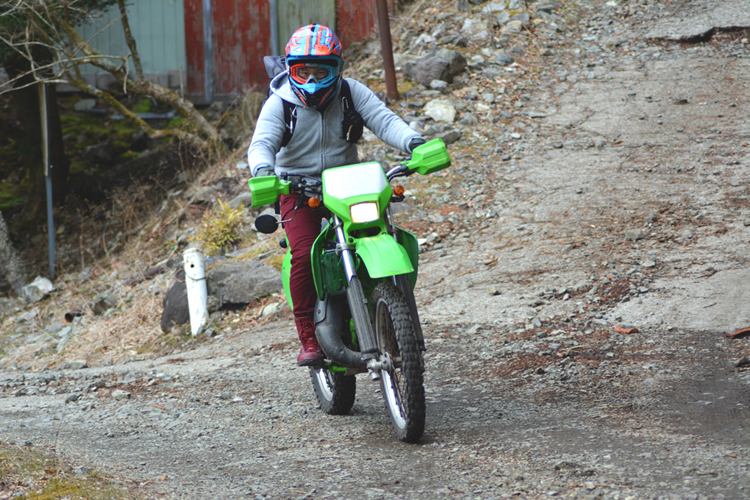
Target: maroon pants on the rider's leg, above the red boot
{"points": [[301, 232]]}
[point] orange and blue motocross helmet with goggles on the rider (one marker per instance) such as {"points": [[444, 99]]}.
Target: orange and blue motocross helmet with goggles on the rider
{"points": [[314, 64]]}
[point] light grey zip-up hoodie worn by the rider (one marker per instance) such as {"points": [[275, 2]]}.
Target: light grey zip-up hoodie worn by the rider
{"points": [[317, 142]]}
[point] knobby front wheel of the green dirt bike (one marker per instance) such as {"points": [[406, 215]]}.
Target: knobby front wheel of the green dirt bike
{"points": [[402, 378]]}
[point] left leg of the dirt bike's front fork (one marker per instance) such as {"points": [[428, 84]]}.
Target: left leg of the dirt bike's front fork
{"points": [[358, 304]]}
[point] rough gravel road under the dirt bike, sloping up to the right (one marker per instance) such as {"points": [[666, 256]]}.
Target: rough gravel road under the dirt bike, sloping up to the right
{"points": [[623, 202]]}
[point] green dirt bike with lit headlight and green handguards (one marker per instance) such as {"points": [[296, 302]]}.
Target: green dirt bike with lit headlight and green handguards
{"points": [[365, 269]]}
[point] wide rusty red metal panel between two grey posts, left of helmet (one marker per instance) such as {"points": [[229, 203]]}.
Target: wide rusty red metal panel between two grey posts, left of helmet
{"points": [[241, 36]]}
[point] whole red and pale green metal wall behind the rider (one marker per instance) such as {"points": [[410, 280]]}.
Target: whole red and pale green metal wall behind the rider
{"points": [[170, 36]]}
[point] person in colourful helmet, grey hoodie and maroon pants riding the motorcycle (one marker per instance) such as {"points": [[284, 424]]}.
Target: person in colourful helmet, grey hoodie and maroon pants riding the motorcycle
{"points": [[312, 83]]}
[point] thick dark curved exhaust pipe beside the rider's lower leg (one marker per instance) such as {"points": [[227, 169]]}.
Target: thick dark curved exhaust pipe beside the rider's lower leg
{"points": [[330, 325]]}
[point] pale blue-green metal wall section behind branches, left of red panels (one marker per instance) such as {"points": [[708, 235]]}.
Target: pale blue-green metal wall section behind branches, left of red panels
{"points": [[158, 27]]}
